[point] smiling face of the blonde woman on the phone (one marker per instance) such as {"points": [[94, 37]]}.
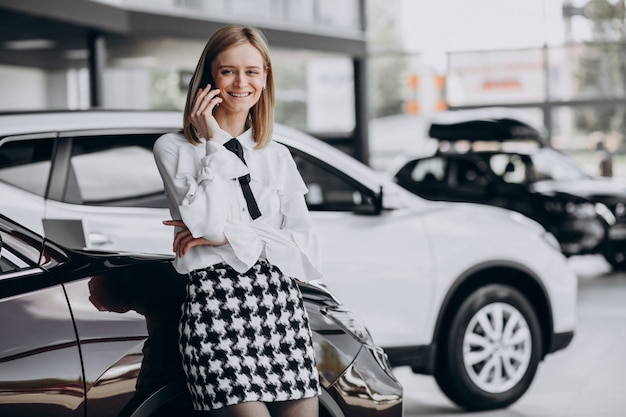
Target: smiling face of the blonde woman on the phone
{"points": [[239, 72]]}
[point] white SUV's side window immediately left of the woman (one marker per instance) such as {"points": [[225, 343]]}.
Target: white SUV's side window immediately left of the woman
{"points": [[117, 170]]}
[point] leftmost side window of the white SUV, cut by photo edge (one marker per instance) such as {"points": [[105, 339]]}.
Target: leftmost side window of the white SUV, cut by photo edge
{"points": [[26, 164]]}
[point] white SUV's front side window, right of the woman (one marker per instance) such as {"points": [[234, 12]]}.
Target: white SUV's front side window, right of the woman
{"points": [[329, 190]]}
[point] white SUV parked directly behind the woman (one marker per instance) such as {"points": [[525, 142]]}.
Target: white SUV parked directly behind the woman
{"points": [[476, 296]]}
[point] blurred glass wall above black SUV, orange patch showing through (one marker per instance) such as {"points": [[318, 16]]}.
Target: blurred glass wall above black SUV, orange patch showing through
{"points": [[581, 86]]}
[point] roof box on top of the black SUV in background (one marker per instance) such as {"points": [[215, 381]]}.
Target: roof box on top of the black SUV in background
{"points": [[487, 124]]}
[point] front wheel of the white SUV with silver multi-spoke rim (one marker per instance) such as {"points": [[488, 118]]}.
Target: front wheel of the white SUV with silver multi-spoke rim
{"points": [[490, 354]]}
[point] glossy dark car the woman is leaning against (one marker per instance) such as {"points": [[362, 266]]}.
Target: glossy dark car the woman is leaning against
{"points": [[95, 334]]}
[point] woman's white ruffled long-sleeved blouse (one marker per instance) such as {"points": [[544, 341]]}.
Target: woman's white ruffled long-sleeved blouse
{"points": [[203, 191]]}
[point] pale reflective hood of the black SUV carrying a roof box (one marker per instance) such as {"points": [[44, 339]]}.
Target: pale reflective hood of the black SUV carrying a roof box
{"points": [[594, 189]]}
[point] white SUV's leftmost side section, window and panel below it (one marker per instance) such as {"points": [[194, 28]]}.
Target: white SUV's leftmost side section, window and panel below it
{"points": [[25, 163]]}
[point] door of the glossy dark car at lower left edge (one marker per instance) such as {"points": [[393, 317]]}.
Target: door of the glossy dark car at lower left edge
{"points": [[40, 366]]}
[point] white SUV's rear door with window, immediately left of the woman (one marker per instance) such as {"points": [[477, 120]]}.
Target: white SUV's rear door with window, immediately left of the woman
{"points": [[107, 194]]}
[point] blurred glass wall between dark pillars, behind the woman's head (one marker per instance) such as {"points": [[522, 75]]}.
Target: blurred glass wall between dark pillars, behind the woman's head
{"points": [[314, 91]]}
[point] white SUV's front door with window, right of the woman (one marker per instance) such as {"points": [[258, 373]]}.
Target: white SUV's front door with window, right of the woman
{"points": [[376, 261]]}
